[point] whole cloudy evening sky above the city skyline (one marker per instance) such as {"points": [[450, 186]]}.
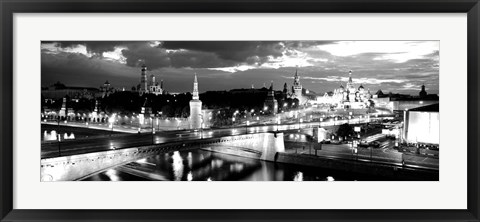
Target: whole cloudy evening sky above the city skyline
{"points": [[392, 66]]}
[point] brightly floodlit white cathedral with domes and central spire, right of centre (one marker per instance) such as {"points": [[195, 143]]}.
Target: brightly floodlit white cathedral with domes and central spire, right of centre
{"points": [[347, 97]]}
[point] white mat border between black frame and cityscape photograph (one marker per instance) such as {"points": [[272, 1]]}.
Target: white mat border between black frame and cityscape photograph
{"points": [[449, 193]]}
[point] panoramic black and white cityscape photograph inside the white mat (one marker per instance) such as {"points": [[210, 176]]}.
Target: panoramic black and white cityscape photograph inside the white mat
{"points": [[325, 111]]}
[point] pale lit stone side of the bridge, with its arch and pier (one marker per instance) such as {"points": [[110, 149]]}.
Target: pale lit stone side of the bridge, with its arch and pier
{"points": [[262, 146]]}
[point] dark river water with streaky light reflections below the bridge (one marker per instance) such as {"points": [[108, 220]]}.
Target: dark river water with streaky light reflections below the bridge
{"points": [[200, 165]]}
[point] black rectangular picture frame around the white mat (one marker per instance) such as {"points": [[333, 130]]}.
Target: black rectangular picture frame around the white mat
{"points": [[9, 7]]}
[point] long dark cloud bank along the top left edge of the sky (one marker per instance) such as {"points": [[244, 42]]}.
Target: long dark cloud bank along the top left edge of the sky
{"points": [[193, 54]]}
